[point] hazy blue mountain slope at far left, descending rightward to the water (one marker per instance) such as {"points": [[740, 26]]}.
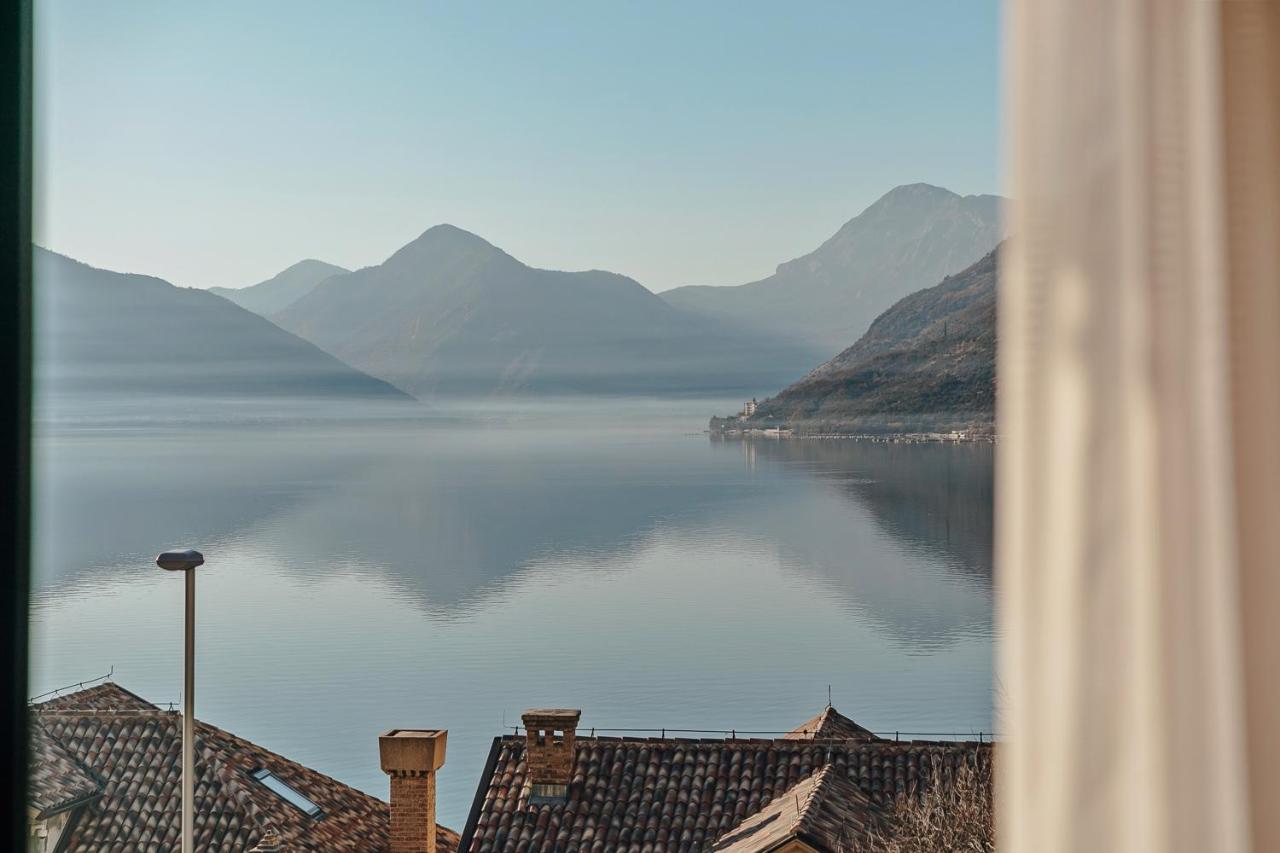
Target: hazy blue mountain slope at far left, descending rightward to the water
{"points": [[115, 332]]}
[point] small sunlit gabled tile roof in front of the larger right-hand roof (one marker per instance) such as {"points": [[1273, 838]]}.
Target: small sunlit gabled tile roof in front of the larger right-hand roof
{"points": [[826, 811]]}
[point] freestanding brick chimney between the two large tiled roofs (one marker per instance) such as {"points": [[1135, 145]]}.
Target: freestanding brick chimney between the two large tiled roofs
{"points": [[412, 758]]}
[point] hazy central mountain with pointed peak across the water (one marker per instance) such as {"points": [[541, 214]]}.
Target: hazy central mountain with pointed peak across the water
{"points": [[452, 314]]}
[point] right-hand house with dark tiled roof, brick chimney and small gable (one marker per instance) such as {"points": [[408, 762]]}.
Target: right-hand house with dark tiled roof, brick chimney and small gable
{"points": [[821, 788]]}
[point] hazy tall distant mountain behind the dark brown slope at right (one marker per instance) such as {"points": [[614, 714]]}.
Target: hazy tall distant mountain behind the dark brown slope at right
{"points": [[909, 239]]}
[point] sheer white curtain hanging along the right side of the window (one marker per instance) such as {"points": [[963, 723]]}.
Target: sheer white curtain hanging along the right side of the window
{"points": [[1139, 503]]}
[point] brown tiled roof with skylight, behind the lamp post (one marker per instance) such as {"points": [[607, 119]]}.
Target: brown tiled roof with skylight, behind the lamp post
{"points": [[135, 751]]}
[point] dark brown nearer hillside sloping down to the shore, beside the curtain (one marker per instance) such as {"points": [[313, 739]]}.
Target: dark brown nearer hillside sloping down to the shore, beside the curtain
{"points": [[929, 364]]}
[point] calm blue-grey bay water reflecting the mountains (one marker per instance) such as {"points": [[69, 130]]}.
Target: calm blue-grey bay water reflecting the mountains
{"points": [[455, 565]]}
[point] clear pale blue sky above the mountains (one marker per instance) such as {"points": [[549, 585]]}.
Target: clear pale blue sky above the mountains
{"points": [[214, 144]]}
